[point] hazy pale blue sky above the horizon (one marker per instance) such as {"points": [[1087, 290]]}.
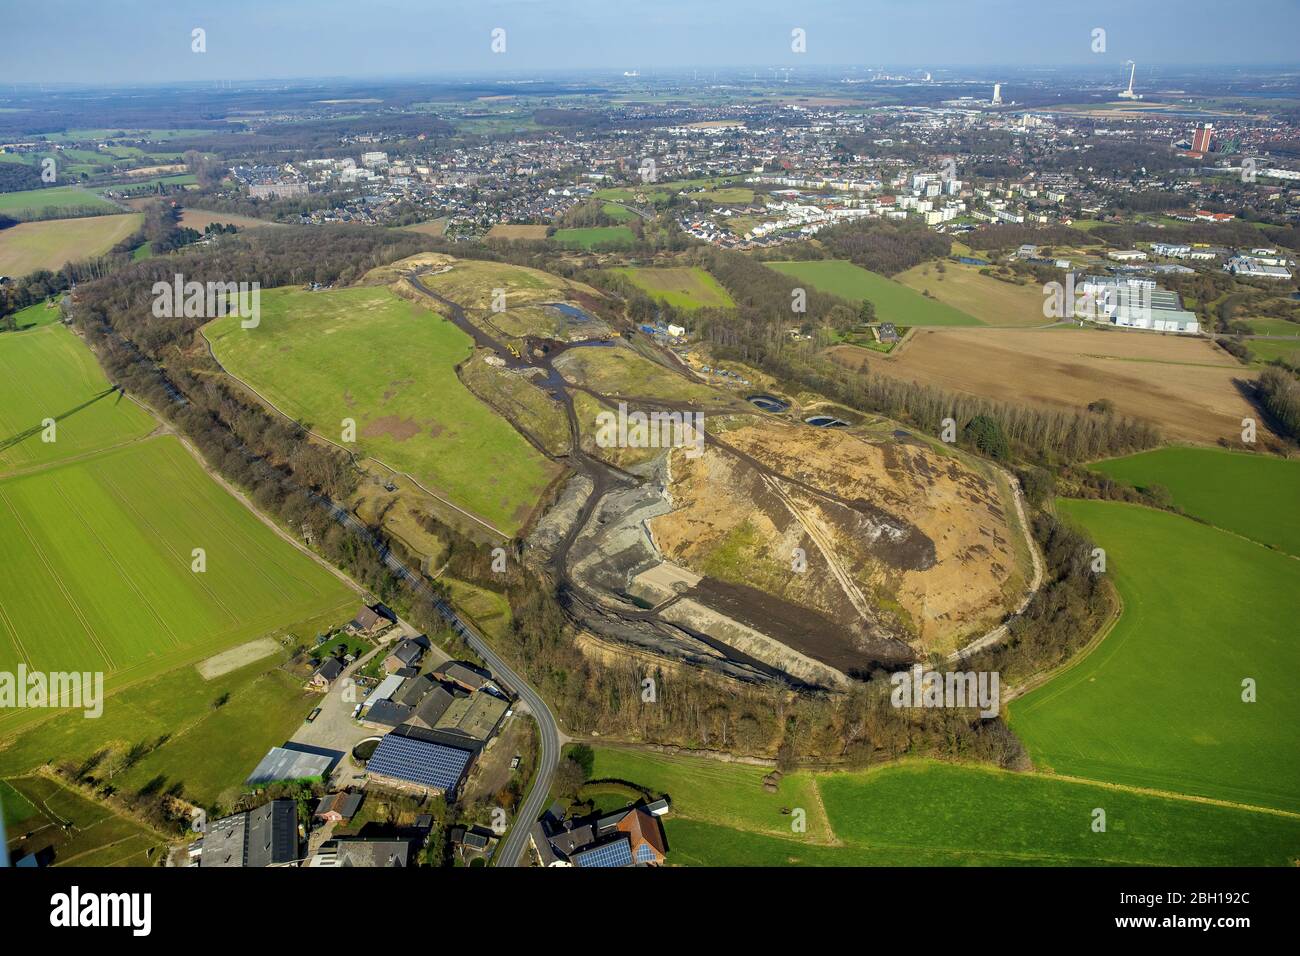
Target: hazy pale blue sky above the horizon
{"points": [[124, 42]]}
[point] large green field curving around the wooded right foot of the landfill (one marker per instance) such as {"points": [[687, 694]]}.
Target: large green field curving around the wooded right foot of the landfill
{"points": [[1159, 703]]}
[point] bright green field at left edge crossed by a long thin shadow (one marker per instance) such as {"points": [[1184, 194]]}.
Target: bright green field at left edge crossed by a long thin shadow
{"points": [[49, 374]]}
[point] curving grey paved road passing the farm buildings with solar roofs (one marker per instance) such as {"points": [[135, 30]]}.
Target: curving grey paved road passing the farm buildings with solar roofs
{"points": [[512, 849]]}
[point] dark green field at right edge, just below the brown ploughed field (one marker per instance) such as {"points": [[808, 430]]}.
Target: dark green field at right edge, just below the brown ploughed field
{"points": [[1251, 495]]}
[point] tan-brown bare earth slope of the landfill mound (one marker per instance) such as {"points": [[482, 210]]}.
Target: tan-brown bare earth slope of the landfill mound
{"points": [[907, 551]]}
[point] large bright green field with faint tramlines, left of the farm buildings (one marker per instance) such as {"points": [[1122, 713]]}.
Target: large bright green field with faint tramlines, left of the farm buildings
{"points": [[96, 568]]}
